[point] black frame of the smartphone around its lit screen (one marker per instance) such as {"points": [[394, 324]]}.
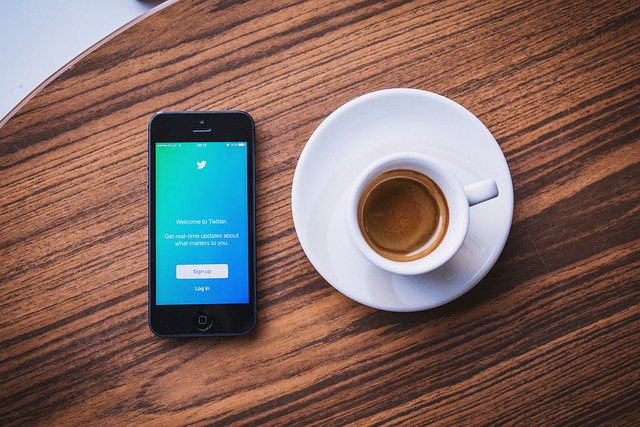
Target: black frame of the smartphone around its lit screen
{"points": [[192, 126]]}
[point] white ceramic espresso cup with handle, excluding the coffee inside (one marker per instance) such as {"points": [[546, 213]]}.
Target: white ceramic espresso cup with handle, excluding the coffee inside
{"points": [[458, 200]]}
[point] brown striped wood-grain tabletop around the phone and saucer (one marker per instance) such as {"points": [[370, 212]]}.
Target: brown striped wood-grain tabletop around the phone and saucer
{"points": [[550, 336]]}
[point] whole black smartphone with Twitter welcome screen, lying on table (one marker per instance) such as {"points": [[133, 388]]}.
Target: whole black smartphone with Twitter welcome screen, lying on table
{"points": [[202, 233]]}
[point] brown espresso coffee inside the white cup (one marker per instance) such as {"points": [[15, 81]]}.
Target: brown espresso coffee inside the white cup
{"points": [[403, 215]]}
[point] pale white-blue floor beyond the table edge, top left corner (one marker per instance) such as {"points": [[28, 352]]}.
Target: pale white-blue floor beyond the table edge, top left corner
{"points": [[38, 37]]}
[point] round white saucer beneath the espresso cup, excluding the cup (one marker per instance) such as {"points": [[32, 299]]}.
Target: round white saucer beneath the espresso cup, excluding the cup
{"points": [[370, 127]]}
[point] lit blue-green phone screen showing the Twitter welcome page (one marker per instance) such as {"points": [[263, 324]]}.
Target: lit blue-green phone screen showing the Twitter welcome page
{"points": [[201, 205]]}
